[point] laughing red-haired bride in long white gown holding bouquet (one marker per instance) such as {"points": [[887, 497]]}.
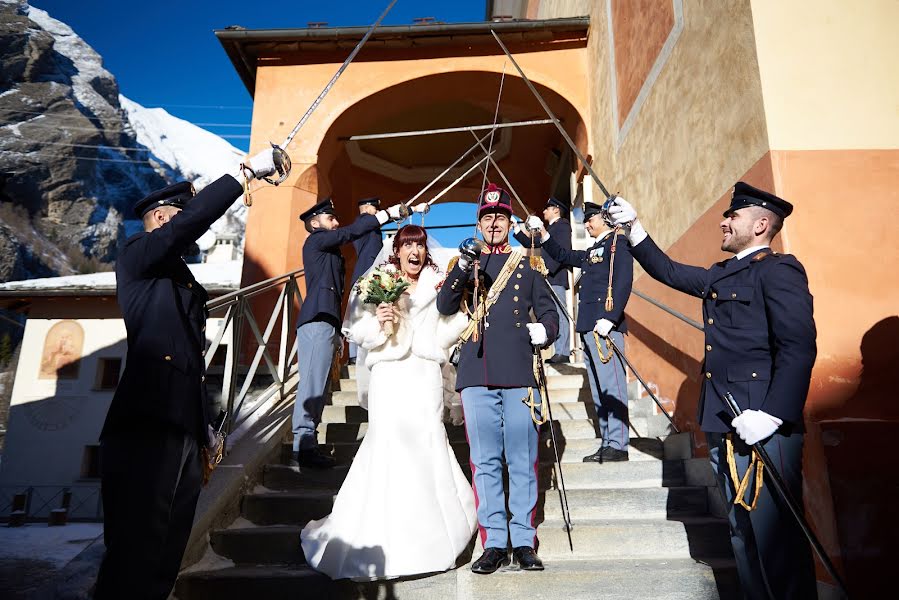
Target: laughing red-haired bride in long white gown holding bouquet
{"points": [[405, 507]]}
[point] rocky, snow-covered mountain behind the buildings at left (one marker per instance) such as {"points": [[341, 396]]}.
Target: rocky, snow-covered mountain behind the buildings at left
{"points": [[75, 155]]}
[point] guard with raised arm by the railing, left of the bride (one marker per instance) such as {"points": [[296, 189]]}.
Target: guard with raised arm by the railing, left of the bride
{"points": [[320, 317]]}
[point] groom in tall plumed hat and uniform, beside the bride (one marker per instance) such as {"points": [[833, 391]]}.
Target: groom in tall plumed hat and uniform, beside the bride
{"points": [[496, 378]]}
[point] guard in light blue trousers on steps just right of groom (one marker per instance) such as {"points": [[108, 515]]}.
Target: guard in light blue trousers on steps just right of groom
{"points": [[607, 269]]}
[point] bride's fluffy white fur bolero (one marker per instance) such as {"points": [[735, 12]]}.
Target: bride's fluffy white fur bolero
{"points": [[421, 329]]}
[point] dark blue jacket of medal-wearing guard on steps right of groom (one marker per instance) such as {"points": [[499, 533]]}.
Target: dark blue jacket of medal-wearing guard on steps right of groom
{"points": [[594, 263]]}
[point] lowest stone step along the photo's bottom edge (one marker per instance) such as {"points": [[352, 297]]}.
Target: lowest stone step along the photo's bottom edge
{"points": [[662, 579]]}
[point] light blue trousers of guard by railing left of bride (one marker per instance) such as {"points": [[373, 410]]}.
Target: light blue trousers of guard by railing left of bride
{"points": [[315, 341]]}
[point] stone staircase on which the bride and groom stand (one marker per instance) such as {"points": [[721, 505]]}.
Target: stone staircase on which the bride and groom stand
{"points": [[642, 529]]}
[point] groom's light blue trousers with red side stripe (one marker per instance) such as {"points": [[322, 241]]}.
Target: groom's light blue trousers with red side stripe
{"points": [[497, 422]]}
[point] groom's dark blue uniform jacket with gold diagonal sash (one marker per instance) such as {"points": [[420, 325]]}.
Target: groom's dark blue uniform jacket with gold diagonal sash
{"points": [[503, 356]]}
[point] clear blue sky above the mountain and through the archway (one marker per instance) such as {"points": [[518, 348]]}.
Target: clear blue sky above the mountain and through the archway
{"points": [[164, 53]]}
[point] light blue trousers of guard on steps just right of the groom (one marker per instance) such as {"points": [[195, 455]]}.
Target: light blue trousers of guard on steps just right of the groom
{"points": [[608, 385]]}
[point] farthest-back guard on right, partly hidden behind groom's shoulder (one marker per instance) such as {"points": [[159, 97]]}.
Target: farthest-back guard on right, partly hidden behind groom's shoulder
{"points": [[556, 216]]}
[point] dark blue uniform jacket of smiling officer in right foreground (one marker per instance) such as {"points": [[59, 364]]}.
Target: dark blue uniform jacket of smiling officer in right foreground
{"points": [[759, 331]]}
